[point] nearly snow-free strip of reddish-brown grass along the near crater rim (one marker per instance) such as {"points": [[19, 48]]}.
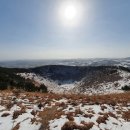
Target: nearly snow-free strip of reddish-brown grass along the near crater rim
{"points": [[74, 99]]}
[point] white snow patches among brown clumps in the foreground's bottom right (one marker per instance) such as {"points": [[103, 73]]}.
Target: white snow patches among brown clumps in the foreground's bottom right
{"points": [[111, 122]]}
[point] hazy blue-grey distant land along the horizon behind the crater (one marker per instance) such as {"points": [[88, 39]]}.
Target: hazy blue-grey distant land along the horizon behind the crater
{"points": [[72, 62]]}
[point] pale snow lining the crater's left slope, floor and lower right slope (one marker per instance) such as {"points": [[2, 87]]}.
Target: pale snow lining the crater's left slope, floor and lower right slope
{"points": [[73, 87]]}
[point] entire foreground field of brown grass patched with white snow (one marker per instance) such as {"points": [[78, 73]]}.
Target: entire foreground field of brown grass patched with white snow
{"points": [[35, 111]]}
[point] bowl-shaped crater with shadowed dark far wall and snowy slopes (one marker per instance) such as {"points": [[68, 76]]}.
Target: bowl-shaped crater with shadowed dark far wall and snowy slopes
{"points": [[88, 80]]}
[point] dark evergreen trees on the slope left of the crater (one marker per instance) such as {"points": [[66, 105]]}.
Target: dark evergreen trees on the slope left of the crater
{"points": [[10, 80]]}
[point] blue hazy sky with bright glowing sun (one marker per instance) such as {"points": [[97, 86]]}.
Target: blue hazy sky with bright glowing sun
{"points": [[43, 29]]}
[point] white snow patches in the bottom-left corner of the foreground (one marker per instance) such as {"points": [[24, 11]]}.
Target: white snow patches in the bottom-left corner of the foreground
{"points": [[24, 120]]}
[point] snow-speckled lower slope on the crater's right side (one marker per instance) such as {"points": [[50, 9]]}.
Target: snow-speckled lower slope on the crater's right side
{"points": [[105, 87]]}
